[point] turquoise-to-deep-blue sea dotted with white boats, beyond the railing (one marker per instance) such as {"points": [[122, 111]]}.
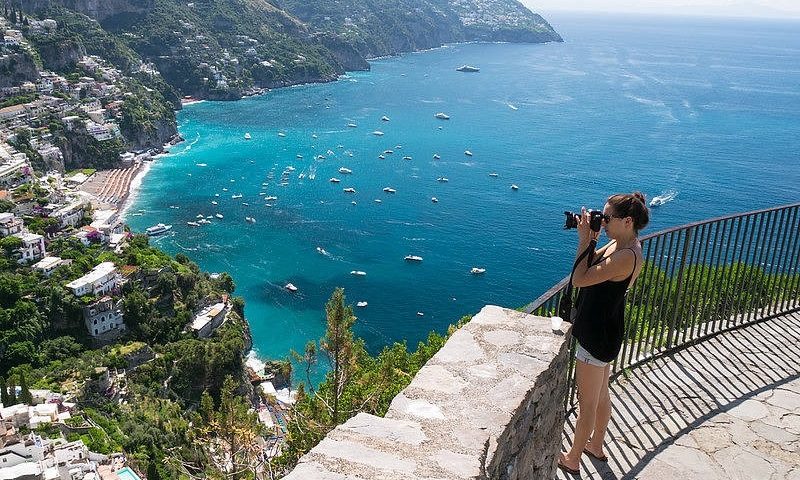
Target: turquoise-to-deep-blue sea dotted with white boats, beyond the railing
{"points": [[704, 111]]}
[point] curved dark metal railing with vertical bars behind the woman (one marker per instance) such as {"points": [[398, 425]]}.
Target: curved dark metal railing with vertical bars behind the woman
{"points": [[701, 279]]}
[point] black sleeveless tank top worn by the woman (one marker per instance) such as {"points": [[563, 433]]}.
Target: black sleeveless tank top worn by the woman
{"points": [[599, 325]]}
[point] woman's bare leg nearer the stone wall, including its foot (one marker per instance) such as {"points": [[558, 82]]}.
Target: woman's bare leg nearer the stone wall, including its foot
{"points": [[589, 380]]}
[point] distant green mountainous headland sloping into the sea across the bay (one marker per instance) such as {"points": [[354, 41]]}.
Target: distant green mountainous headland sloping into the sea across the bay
{"points": [[223, 49]]}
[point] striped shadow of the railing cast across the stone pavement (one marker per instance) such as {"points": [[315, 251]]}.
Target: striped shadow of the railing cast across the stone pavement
{"points": [[657, 403]]}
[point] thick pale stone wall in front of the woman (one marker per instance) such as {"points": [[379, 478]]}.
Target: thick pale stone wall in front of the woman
{"points": [[488, 405]]}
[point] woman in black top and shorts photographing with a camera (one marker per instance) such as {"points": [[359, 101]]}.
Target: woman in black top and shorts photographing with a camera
{"points": [[599, 325]]}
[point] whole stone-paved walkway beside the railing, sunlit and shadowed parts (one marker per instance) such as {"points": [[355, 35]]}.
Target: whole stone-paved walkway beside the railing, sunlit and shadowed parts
{"points": [[727, 408]]}
